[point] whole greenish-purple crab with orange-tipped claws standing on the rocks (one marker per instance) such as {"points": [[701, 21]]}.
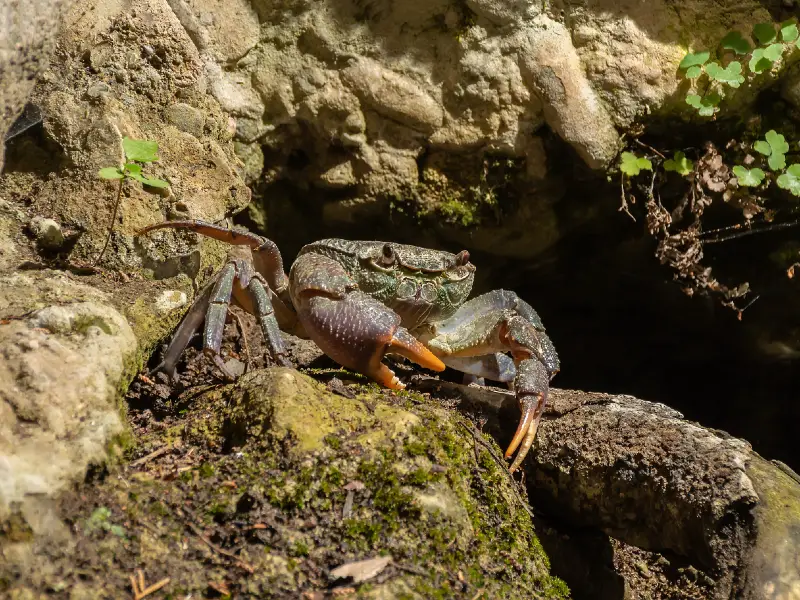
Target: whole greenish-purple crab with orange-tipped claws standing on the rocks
{"points": [[361, 300]]}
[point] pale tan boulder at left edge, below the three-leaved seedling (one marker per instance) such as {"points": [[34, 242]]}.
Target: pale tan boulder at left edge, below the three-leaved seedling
{"points": [[60, 373]]}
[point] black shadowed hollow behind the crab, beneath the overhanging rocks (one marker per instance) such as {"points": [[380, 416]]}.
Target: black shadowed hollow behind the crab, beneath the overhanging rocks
{"points": [[619, 321]]}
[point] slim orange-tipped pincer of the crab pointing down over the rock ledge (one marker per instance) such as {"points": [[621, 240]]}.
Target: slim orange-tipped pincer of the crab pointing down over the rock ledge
{"points": [[531, 383]]}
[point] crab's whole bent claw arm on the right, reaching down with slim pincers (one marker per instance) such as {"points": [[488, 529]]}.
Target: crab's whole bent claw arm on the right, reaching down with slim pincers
{"points": [[500, 321]]}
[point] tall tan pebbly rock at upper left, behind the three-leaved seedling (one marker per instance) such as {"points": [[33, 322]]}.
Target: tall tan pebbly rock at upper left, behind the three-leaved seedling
{"points": [[162, 97]]}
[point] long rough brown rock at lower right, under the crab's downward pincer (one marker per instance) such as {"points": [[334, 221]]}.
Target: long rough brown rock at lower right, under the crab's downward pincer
{"points": [[599, 459]]}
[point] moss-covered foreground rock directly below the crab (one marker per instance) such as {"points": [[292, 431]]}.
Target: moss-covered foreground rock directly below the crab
{"points": [[274, 481]]}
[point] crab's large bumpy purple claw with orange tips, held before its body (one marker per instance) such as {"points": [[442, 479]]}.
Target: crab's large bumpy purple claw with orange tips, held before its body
{"points": [[350, 326]]}
